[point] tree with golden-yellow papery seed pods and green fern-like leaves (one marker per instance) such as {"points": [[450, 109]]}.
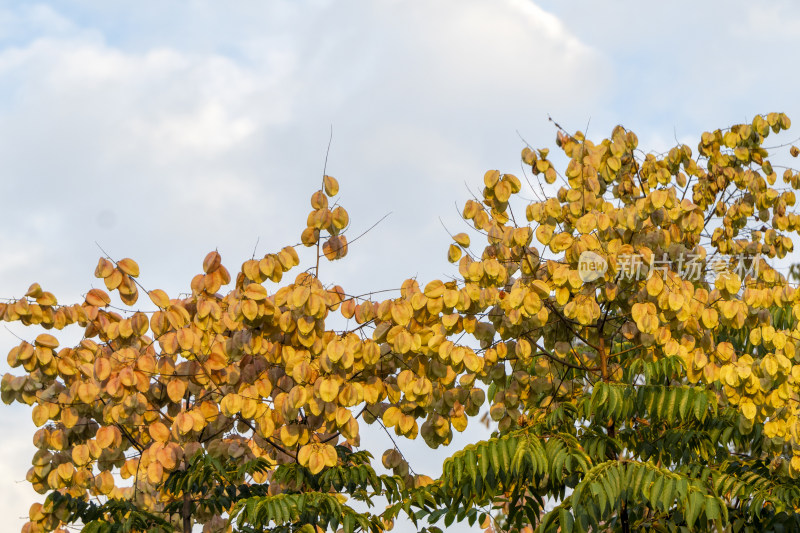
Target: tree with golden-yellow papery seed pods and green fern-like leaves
{"points": [[624, 391]]}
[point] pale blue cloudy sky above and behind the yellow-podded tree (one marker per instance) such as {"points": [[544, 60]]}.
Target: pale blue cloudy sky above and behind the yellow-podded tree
{"points": [[164, 130]]}
